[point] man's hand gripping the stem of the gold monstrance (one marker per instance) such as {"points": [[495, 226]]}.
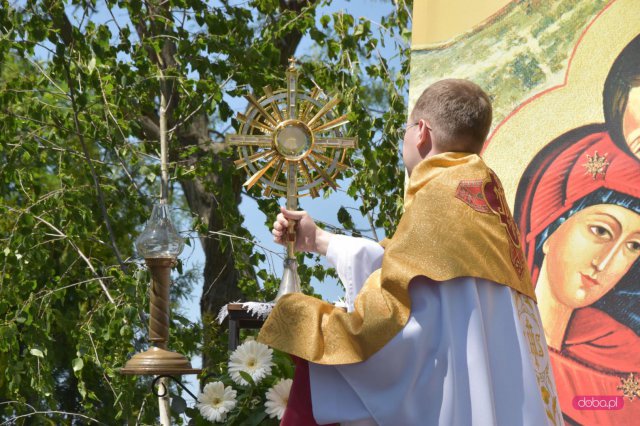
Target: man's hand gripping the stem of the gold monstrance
{"points": [[309, 238]]}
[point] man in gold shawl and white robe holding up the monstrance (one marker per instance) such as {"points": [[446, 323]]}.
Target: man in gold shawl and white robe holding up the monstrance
{"points": [[442, 327]]}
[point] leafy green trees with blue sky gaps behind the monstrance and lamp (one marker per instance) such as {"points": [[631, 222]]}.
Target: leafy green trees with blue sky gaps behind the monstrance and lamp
{"points": [[79, 94]]}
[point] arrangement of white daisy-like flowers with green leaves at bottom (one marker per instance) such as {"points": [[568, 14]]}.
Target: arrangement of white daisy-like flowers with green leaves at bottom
{"points": [[253, 391]]}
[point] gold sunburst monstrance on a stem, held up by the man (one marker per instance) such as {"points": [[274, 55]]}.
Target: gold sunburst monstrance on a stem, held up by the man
{"points": [[296, 136]]}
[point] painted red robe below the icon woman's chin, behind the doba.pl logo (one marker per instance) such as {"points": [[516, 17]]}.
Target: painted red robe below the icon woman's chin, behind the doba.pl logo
{"points": [[598, 353]]}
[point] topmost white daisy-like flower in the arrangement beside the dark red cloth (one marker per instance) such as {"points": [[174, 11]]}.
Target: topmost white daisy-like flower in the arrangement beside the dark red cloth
{"points": [[253, 358]]}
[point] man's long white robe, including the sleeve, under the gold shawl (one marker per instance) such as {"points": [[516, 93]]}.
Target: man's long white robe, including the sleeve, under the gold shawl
{"points": [[472, 353]]}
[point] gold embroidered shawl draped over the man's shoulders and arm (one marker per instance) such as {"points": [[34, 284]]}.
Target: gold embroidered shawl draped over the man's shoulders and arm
{"points": [[456, 224]]}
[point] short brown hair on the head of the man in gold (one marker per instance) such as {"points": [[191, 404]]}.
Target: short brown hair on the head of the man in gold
{"points": [[458, 112]]}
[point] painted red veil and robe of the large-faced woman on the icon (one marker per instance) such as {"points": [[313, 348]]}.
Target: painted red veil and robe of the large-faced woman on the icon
{"points": [[597, 351]]}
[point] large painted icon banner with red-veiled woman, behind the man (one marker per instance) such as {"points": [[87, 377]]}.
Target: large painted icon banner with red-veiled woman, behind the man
{"points": [[564, 77]]}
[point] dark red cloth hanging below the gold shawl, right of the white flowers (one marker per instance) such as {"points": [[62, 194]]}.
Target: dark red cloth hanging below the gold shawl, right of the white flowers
{"points": [[299, 411]]}
